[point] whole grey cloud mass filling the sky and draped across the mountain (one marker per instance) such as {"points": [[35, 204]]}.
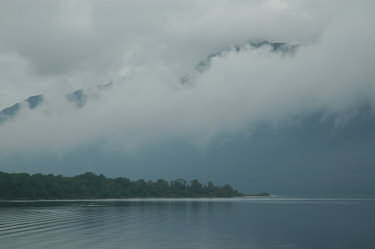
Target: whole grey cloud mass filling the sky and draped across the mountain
{"points": [[145, 48]]}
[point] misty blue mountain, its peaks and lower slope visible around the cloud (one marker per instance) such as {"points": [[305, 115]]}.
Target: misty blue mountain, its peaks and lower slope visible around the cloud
{"points": [[316, 153]]}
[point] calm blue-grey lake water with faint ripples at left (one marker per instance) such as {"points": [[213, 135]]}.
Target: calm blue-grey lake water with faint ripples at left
{"points": [[204, 223]]}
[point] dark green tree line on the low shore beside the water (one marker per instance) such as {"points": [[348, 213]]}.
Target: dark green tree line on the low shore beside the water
{"points": [[92, 186]]}
